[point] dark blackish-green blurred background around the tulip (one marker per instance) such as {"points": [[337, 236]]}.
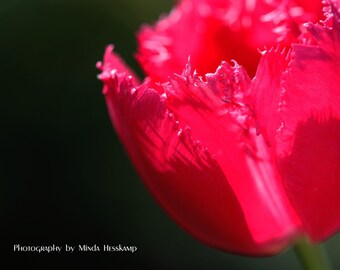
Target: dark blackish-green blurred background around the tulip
{"points": [[65, 178]]}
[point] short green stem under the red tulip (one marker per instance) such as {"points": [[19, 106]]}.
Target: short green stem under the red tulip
{"points": [[312, 257]]}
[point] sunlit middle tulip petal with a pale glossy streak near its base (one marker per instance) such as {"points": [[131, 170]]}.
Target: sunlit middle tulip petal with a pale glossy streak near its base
{"points": [[217, 116]]}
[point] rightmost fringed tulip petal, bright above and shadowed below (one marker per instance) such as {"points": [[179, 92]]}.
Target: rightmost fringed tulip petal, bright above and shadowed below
{"points": [[309, 150]]}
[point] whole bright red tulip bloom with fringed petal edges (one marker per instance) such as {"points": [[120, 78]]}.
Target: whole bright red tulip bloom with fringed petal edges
{"points": [[245, 165]]}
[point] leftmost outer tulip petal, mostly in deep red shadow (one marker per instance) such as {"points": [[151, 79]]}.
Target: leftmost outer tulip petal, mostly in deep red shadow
{"points": [[181, 173]]}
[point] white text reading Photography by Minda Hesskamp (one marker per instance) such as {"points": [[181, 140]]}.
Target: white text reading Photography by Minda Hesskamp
{"points": [[53, 248]]}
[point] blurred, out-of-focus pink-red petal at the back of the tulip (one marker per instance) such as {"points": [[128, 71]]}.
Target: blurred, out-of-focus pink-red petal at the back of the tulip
{"points": [[221, 30]]}
